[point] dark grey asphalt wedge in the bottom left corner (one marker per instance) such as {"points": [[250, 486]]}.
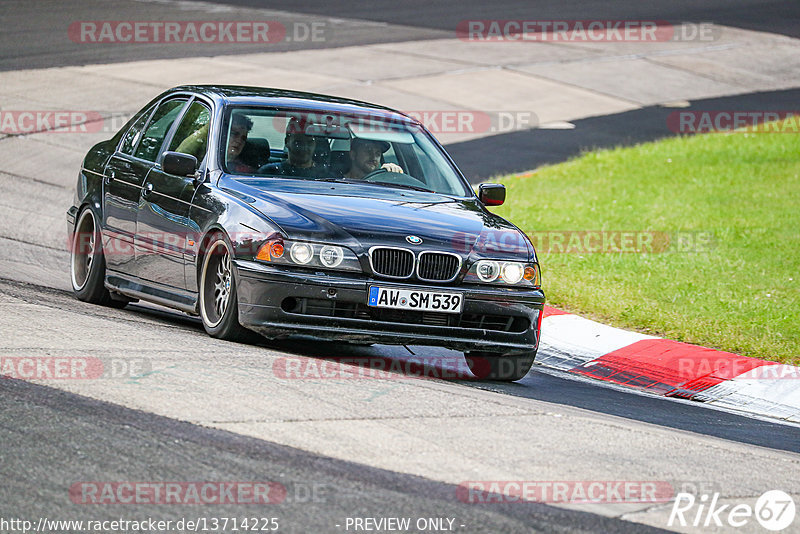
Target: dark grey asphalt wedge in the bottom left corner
{"points": [[78, 438]]}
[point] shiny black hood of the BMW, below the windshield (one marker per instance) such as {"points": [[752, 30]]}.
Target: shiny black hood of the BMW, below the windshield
{"points": [[362, 216]]}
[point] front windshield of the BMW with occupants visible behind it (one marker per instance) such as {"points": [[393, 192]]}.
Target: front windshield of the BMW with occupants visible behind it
{"points": [[359, 148]]}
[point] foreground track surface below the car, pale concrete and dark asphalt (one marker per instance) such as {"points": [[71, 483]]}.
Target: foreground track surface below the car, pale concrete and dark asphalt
{"points": [[54, 438]]}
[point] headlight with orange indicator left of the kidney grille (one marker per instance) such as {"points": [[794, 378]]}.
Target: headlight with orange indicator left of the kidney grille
{"points": [[312, 255]]}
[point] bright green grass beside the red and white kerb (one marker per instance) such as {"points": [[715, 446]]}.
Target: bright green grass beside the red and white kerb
{"points": [[741, 294]]}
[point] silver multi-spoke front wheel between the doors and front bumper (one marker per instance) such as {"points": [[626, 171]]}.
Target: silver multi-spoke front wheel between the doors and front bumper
{"points": [[219, 306]]}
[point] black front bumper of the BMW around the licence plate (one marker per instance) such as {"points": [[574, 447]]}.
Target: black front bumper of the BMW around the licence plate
{"points": [[277, 302]]}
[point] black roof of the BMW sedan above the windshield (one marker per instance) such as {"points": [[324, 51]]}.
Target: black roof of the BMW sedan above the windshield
{"points": [[248, 96]]}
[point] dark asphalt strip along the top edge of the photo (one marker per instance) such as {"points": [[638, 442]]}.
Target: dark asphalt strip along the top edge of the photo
{"points": [[380, 21]]}
